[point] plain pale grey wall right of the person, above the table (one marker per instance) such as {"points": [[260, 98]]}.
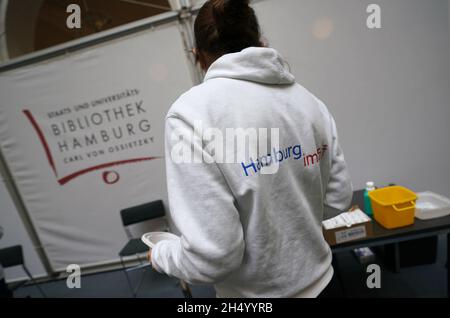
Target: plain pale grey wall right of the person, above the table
{"points": [[388, 89]]}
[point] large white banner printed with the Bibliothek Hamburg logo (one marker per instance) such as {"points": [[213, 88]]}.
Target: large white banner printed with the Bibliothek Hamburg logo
{"points": [[83, 137]]}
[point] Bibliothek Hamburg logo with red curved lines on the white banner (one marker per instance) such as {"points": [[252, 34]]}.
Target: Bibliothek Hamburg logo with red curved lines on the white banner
{"points": [[100, 135]]}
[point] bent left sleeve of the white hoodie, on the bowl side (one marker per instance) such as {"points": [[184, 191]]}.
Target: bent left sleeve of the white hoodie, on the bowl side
{"points": [[202, 208]]}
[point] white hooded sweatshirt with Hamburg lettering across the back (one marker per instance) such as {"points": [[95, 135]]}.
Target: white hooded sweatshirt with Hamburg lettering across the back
{"points": [[252, 234]]}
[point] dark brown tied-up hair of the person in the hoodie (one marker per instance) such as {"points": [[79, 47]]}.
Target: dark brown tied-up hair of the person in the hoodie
{"points": [[226, 26]]}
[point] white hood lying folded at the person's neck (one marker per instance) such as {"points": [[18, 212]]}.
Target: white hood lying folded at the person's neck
{"points": [[255, 64]]}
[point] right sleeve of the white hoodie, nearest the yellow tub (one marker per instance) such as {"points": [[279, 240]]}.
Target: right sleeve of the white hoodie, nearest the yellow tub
{"points": [[339, 192]]}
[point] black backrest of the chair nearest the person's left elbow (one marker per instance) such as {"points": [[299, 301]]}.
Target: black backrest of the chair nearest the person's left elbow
{"points": [[141, 213]]}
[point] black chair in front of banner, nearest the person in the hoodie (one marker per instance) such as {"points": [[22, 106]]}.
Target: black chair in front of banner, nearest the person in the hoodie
{"points": [[135, 247]]}
